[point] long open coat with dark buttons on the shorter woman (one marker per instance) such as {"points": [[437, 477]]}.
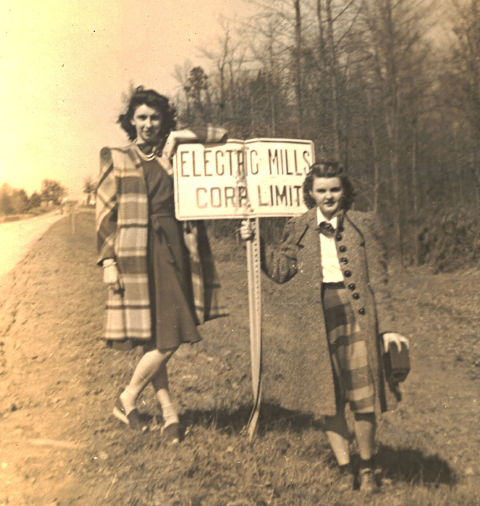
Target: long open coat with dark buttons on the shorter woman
{"points": [[298, 368]]}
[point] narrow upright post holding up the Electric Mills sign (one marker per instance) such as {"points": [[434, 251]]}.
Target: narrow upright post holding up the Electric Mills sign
{"points": [[255, 313]]}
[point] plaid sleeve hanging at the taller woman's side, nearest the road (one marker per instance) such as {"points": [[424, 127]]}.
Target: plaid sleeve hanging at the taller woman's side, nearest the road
{"points": [[106, 207]]}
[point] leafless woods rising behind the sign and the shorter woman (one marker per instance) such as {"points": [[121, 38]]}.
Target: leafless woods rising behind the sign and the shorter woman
{"points": [[377, 85]]}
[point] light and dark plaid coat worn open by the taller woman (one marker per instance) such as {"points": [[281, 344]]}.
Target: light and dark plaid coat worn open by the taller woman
{"points": [[122, 223]]}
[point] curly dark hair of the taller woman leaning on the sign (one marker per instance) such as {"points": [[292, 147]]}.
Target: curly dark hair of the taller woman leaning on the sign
{"points": [[141, 96]]}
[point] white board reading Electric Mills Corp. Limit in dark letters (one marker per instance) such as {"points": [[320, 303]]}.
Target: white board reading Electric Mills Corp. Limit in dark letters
{"points": [[237, 179]]}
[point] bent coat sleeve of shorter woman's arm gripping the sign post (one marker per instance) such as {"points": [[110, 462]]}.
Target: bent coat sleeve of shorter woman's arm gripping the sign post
{"points": [[280, 264]]}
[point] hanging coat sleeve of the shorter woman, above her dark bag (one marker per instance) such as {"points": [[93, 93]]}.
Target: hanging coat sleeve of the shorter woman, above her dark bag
{"points": [[378, 274]]}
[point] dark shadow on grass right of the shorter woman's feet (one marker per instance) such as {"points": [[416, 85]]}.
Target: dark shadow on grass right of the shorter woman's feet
{"points": [[412, 466]]}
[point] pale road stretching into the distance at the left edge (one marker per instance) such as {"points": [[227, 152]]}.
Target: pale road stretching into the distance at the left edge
{"points": [[17, 237]]}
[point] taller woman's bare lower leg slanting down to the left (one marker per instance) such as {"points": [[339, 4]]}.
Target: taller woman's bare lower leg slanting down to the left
{"points": [[147, 368]]}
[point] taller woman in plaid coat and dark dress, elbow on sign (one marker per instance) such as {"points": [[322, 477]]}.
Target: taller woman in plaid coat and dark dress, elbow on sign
{"points": [[160, 272]]}
